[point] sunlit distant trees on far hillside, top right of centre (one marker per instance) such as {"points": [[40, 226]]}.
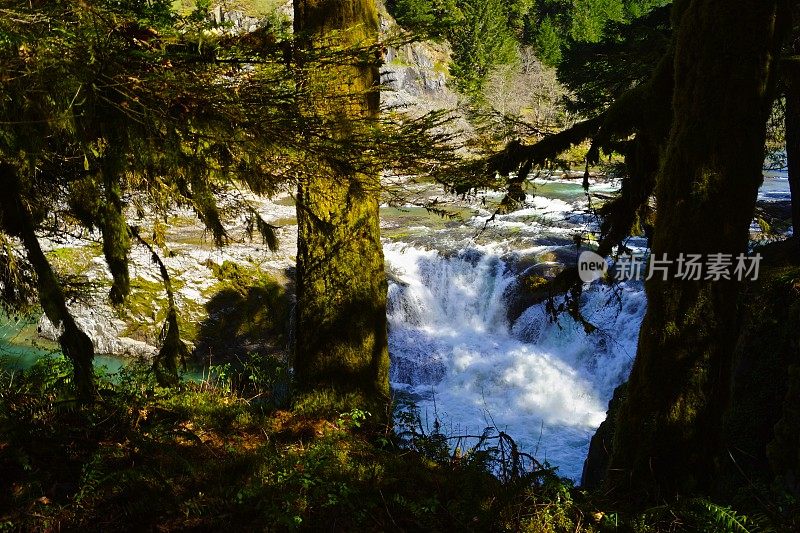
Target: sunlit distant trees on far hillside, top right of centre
{"points": [[601, 48]]}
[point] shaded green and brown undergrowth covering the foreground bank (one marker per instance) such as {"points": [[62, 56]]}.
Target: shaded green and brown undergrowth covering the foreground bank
{"points": [[221, 455]]}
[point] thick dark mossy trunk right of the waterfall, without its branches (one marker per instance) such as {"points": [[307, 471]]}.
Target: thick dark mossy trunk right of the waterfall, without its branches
{"points": [[669, 429]]}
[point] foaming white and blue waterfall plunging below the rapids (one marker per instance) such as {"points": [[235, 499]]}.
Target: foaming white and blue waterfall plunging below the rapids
{"points": [[546, 384]]}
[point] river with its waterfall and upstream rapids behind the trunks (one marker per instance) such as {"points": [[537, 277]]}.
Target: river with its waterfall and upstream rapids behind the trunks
{"points": [[454, 348]]}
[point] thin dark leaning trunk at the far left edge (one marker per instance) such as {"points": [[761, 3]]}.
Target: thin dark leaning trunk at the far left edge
{"points": [[76, 345]]}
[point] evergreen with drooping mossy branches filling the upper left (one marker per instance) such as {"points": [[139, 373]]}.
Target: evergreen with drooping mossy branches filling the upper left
{"points": [[102, 105]]}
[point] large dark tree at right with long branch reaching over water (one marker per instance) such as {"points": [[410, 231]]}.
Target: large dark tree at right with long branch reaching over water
{"points": [[694, 134]]}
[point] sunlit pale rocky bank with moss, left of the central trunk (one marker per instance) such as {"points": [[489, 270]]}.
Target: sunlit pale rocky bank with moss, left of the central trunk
{"points": [[191, 259]]}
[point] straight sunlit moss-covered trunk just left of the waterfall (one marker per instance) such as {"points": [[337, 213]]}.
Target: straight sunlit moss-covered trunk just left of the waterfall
{"points": [[341, 338]]}
